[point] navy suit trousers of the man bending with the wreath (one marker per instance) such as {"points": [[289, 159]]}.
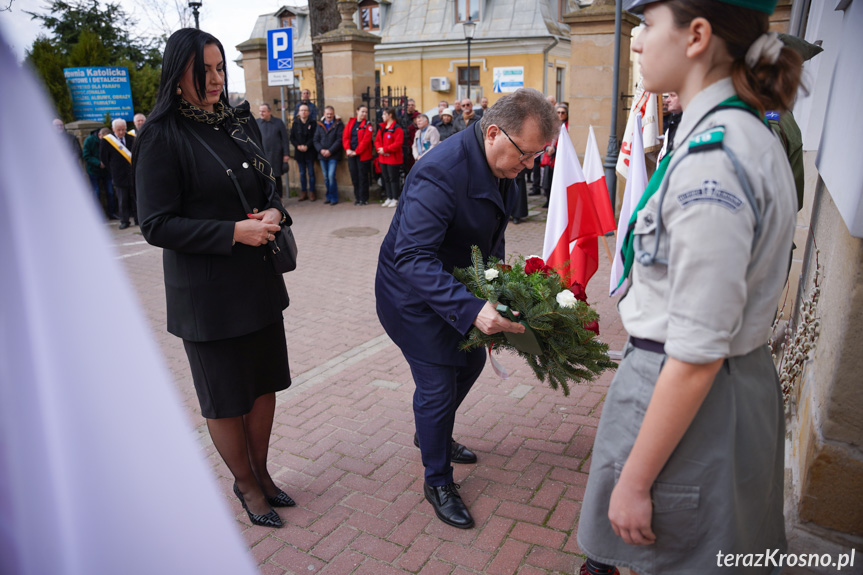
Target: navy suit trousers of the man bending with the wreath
{"points": [[440, 389]]}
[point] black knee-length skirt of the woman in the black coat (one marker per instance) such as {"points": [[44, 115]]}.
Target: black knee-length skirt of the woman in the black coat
{"points": [[230, 374]]}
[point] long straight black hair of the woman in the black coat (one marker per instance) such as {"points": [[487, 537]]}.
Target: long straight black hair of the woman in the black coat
{"points": [[184, 45]]}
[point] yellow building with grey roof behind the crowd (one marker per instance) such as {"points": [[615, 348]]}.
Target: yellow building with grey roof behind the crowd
{"points": [[423, 49]]}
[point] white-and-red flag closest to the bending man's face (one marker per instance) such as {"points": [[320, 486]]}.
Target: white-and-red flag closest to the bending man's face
{"points": [[572, 224]]}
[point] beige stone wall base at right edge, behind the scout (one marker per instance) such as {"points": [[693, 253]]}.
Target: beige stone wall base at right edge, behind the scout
{"points": [[829, 426]]}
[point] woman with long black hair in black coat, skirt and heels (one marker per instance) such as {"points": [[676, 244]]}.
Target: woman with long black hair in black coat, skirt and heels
{"points": [[223, 298]]}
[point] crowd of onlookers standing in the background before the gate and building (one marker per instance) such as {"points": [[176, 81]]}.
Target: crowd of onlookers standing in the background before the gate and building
{"points": [[382, 152]]}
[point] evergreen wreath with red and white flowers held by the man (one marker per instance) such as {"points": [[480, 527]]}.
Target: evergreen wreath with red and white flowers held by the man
{"points": [[557, 317]]}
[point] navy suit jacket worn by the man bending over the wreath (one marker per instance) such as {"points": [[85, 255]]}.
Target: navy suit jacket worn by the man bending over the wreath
{"points": [[451, 202]]}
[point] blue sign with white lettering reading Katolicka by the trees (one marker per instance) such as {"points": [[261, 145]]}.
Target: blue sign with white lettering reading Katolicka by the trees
{"points": [[98, 91]]}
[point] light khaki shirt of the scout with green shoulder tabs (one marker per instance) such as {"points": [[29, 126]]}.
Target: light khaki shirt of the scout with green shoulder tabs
{"points": [[718, 294]]}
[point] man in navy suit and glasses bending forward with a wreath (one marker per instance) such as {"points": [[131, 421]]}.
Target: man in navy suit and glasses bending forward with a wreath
{"points": [[459, 195]]}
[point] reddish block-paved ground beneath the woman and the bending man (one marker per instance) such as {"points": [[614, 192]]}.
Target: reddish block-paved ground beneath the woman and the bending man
{"points": [[342, 441]]}
